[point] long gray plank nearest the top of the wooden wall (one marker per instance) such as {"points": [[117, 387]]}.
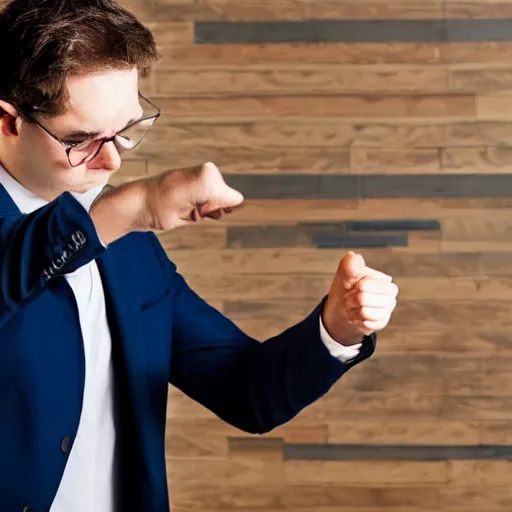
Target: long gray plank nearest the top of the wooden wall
{"points": [[353, 31]]}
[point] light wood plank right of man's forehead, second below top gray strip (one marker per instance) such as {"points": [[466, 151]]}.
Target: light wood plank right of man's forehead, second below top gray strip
{"points": [[229, 81]]}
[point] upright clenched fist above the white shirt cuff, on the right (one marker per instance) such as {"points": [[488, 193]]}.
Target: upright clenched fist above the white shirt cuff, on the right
{"points": [[361, 301]]}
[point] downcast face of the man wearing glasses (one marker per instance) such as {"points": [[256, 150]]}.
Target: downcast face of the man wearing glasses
{"points": [[103, 103]]}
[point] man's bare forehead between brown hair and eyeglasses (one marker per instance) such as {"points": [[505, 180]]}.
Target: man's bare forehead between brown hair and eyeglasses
{"points": [[102, 101]]}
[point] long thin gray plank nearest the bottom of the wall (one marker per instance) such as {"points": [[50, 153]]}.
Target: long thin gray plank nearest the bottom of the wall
{"points": [[395, 452]]}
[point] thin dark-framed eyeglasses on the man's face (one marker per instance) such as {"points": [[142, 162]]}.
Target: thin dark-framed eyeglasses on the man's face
{"points": [[126, 139]]}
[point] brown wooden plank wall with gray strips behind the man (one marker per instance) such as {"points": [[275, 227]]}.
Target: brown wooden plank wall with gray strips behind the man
{"points": [[396, 147]]}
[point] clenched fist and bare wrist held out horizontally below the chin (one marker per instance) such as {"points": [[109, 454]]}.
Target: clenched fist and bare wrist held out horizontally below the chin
{"points": [[163, 202]]}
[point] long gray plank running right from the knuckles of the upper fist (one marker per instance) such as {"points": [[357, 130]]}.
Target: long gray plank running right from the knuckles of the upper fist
{"points": [[309, 186]]}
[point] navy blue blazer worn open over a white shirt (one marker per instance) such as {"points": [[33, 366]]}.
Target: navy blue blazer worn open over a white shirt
{"points": [[162, 332]]}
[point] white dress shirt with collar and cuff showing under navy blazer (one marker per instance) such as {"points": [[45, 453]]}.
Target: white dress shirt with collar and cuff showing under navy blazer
{"points": [[88, 481]]}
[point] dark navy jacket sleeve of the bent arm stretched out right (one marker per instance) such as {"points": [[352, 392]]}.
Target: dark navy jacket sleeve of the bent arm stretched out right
{"points": [[252, 385]]}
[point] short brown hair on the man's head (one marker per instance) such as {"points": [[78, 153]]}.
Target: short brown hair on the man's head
{"points": [[42, 42]]}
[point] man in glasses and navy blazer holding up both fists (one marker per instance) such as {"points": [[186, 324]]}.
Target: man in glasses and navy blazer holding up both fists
{"points": [[95, 321]]}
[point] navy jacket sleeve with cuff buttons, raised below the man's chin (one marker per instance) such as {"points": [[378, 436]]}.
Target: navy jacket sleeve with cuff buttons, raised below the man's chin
{"points": [[37, 248]]}
